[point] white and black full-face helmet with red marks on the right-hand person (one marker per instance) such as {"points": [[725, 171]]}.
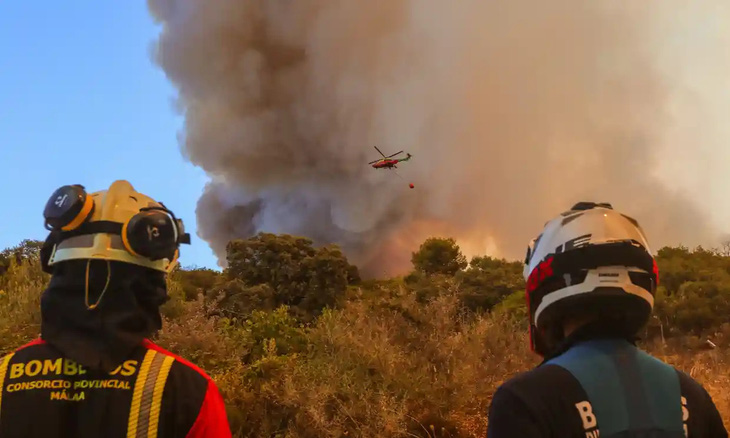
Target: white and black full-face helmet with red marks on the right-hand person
{"points": [[589, 259]]}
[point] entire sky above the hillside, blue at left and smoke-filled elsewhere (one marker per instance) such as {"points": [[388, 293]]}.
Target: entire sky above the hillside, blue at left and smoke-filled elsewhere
{"points": [[622, 101]]}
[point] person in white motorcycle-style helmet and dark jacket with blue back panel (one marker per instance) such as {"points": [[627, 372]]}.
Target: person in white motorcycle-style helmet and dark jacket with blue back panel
{"points": [[591, 281]]}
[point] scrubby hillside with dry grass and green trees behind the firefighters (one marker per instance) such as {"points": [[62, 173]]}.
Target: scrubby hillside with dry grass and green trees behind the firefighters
{"points": [[301, 346]]}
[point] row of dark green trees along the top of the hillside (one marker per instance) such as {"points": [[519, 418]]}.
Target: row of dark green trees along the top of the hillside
{"points": [[268, 271]]}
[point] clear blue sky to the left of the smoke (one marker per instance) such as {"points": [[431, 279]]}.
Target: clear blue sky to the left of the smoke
{"points": [[82, 103]]}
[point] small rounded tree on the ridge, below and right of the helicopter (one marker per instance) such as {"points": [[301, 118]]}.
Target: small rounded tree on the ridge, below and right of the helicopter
{"points": [[439, 256]]}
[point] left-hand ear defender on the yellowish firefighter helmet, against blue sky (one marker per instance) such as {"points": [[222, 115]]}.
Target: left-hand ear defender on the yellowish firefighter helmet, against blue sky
{"points": [[68, 208]]}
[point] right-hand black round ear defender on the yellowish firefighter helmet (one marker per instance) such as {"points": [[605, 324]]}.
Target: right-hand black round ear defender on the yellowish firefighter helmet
{"points": [[154, 233]]}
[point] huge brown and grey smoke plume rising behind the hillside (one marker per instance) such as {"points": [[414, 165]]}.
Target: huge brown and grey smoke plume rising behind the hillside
{"points": [[513, 111]]}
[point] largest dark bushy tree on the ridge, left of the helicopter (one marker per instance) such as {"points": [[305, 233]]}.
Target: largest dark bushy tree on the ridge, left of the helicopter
{"points": [[305, 278]]}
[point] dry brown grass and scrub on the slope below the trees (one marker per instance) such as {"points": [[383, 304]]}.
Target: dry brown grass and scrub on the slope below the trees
{"points": [[384, 364]]}
